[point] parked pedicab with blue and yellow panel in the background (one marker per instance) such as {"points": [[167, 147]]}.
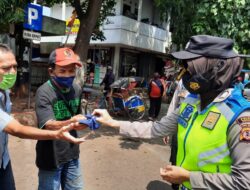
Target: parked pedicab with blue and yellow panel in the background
{"points": [[124, 102]]}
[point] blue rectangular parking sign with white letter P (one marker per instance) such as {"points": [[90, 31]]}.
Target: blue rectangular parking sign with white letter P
{"points": [[33, 17]]}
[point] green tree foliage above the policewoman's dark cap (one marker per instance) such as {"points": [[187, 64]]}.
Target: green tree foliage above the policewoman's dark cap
{"points": [[224, 18]]}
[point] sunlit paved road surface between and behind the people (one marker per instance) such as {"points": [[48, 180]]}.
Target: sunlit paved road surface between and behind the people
{"points": [[109, 162]]}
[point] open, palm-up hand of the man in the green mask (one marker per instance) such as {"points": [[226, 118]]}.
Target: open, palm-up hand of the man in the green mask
{"points": [[63, 134]]}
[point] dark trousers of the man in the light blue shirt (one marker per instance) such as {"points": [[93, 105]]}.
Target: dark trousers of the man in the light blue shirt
{"points": [[6, 178]]}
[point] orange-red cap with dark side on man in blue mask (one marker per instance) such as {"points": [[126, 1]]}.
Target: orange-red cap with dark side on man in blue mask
{"points": [[63, 57]]}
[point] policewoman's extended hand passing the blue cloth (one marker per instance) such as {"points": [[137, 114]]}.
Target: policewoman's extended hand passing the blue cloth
{"points": [[103, 117]]}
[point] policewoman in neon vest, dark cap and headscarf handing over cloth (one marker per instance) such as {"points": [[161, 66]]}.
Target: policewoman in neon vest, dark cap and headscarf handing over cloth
{"points": [[212, 123]]}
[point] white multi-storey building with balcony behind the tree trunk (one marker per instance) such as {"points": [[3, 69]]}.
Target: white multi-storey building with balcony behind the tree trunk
{"points": [[138, 39]]}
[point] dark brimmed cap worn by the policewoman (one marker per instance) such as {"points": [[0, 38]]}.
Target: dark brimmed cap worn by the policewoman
{"points": [[207, 46]]}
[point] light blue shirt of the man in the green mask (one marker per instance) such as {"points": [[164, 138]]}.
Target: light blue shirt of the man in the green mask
{"points": [[5, 118]]}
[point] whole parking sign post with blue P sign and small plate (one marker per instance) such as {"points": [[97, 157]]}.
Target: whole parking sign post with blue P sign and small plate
{"points": [[33, 21]]}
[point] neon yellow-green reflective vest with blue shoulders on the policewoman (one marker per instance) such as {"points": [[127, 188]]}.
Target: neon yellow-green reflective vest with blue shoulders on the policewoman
{"points": [[202, 136]]}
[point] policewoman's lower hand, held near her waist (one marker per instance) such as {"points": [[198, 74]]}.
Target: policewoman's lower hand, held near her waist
{"points": [[174, 174]]}
